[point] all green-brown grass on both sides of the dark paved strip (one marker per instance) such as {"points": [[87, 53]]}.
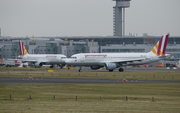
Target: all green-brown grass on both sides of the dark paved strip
{"points": [[91, 98]]}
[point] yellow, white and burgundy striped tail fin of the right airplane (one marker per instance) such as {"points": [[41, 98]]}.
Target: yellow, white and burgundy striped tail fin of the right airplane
{"points": [[160, 48]]}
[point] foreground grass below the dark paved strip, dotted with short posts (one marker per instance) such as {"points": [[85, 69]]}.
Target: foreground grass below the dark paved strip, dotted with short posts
{"points": [[166, 98]]}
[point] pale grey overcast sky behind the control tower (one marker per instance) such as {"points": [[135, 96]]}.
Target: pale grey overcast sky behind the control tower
{"points": [[86, 17]]}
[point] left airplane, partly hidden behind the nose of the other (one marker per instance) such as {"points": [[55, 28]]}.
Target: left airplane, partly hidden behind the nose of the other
{"points": [[41, 59]]}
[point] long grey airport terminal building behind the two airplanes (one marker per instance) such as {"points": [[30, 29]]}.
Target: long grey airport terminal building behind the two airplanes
{"points": [[9, 46]]}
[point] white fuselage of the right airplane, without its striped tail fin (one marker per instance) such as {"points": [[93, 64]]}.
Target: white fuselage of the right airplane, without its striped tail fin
{"points": [[99, 59]]}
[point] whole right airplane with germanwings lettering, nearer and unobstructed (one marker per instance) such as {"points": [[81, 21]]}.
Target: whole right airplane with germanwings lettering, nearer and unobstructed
{"points": [[112, 61]]}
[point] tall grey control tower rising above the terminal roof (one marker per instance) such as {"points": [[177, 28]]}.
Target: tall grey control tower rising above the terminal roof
{"points": [[119, 16]]}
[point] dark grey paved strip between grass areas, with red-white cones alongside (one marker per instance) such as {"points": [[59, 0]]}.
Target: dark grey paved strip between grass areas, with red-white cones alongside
{"points": [[48, 81]]}
